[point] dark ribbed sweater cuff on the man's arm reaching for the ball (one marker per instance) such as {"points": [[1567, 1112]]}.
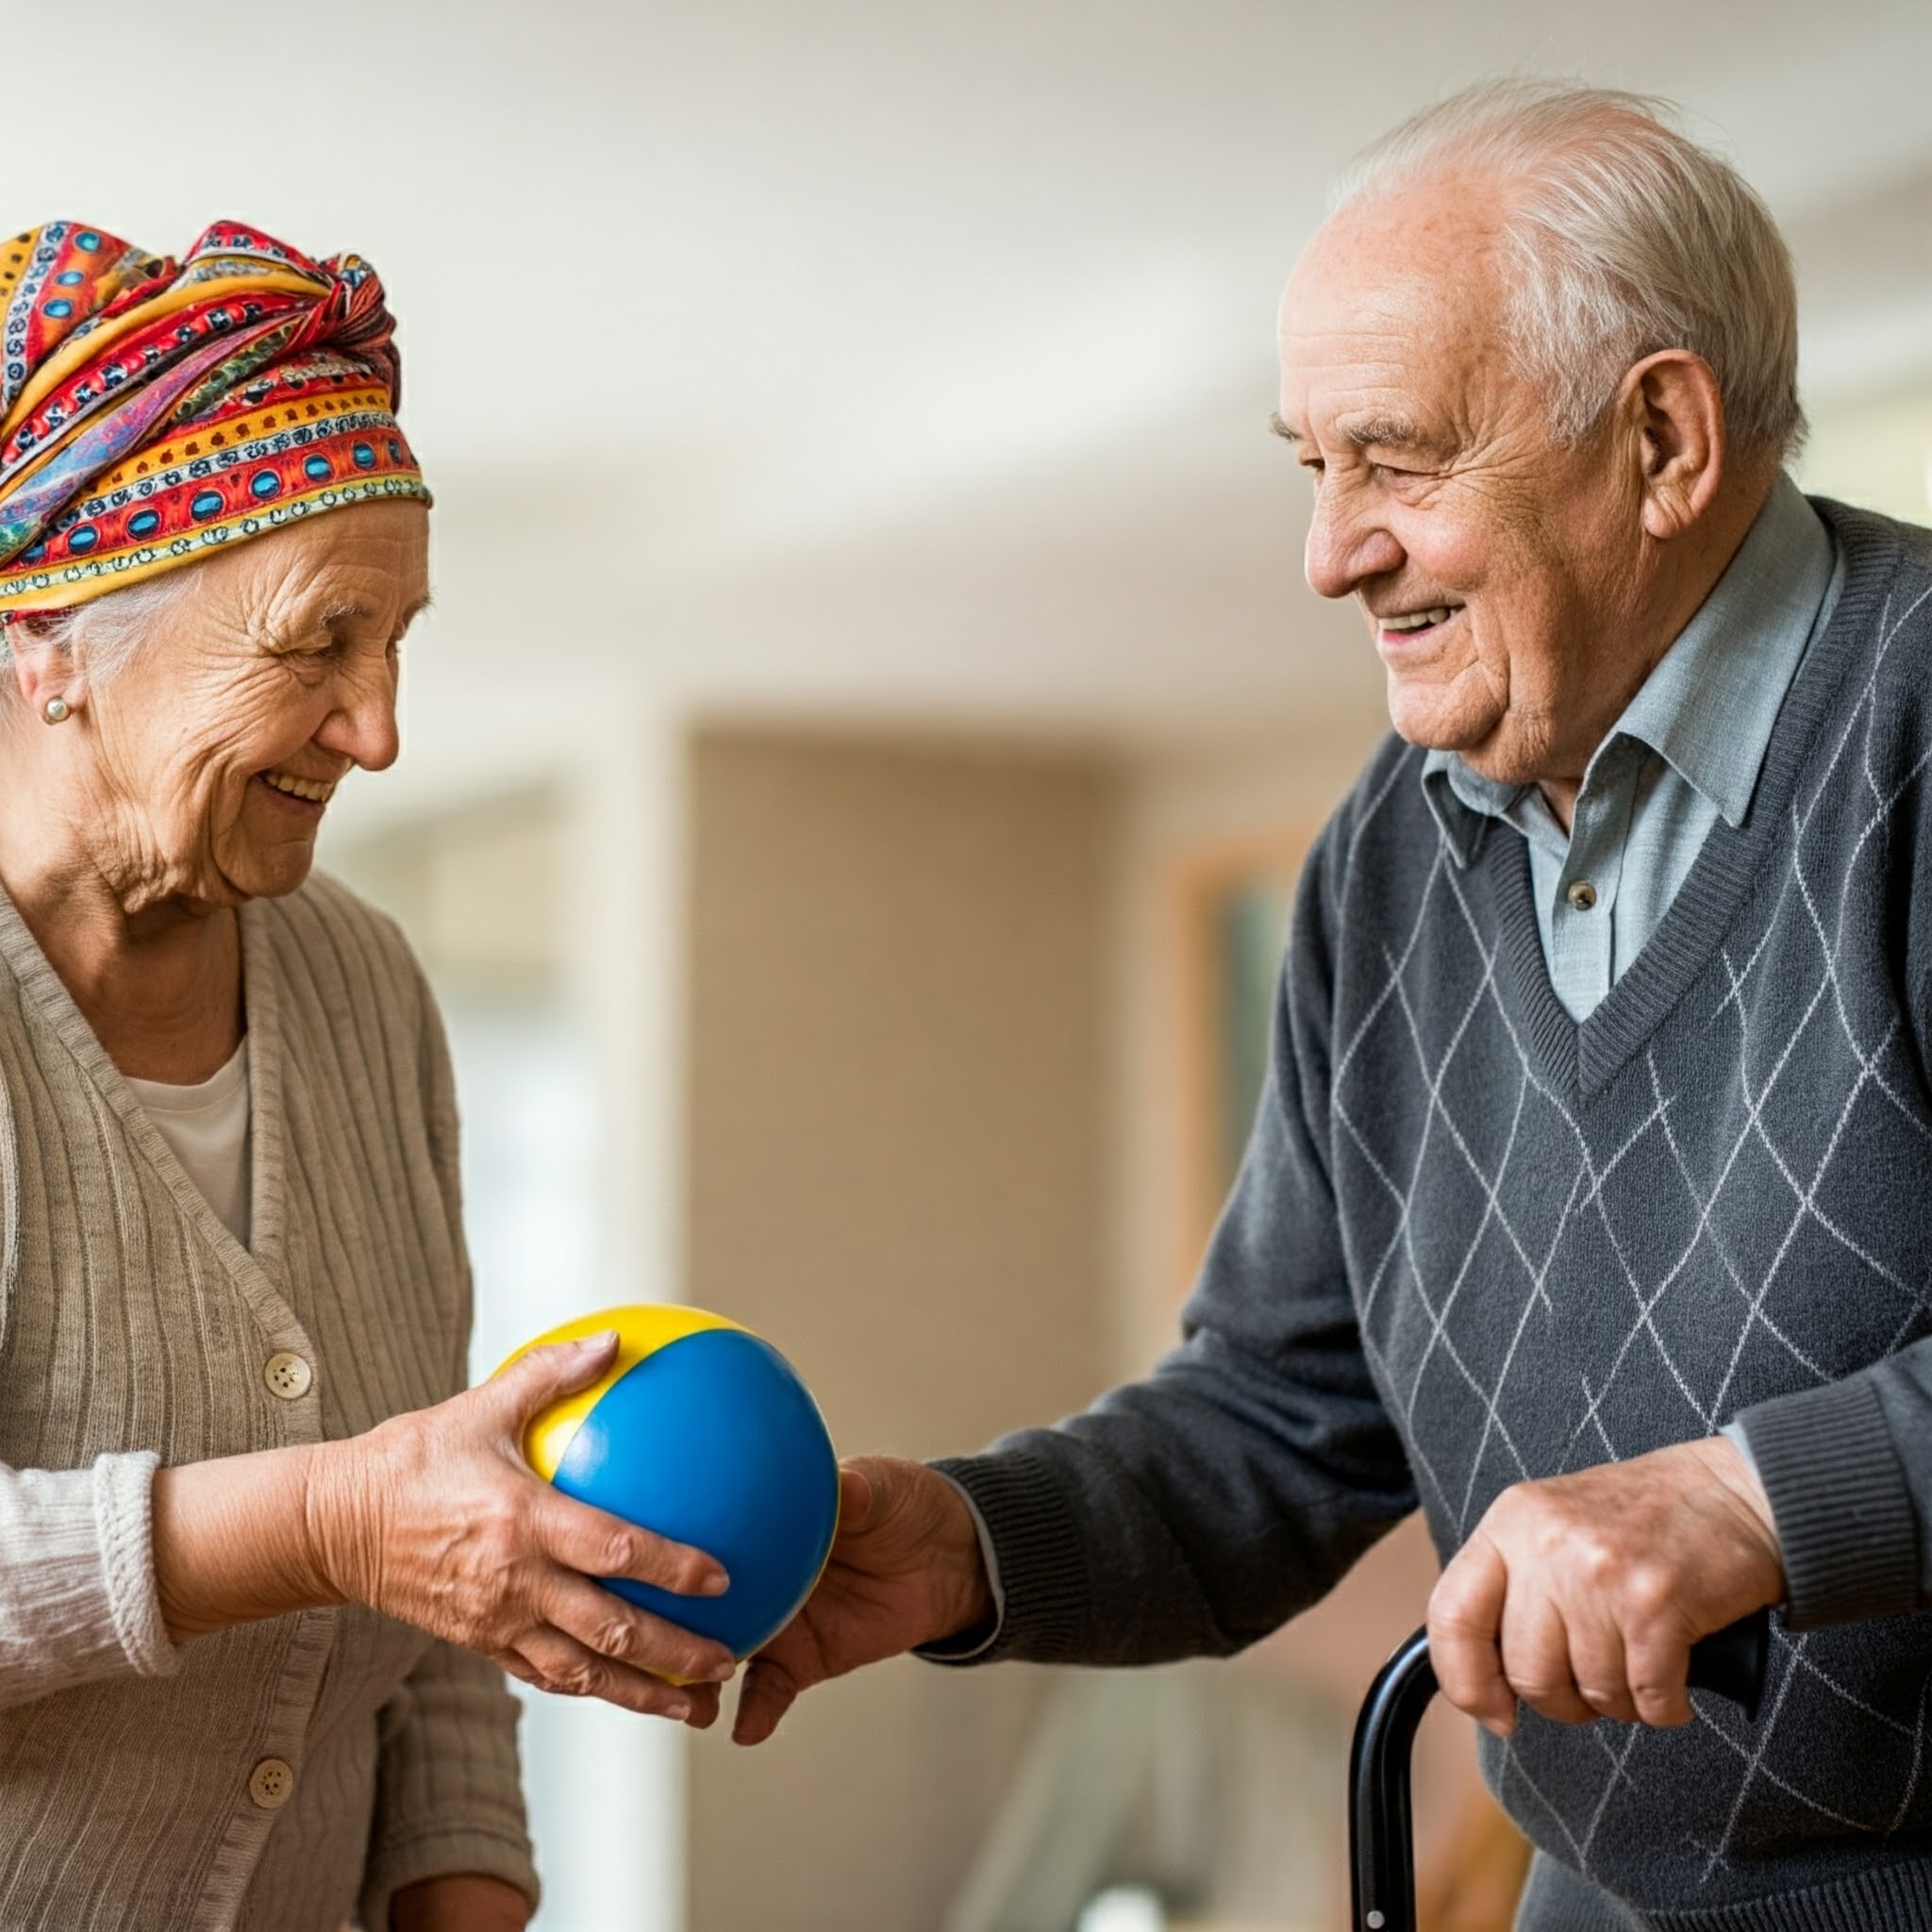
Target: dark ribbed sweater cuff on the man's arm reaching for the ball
{"points": [[1037, 1554]]}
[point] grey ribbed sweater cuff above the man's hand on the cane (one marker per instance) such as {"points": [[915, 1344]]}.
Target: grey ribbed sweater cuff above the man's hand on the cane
{"points": [[1838, 1494]]}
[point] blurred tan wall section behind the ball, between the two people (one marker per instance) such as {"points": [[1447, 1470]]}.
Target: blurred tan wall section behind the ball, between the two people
{"points": [[897, 1127]]}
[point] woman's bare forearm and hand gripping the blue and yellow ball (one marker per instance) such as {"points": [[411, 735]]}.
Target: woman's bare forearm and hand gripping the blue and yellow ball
{"points": [[436, 1520]]}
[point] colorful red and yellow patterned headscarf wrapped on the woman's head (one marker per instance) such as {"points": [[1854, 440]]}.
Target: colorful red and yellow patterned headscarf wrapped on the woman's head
{"points": [[154, 411]]}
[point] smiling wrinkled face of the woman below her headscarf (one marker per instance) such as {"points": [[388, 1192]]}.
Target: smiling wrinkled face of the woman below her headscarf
{"points": [[213, 753]]}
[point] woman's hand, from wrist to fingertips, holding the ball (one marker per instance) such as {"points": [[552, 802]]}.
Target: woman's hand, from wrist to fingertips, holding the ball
{"points": [[436, 1520]]}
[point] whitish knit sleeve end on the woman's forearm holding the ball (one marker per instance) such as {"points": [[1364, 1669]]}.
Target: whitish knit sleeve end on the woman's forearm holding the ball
{"points": [[78, 1577]]}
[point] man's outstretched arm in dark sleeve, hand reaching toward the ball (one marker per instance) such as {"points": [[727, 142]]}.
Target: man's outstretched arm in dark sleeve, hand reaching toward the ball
{"points": [[1187, 1514]]}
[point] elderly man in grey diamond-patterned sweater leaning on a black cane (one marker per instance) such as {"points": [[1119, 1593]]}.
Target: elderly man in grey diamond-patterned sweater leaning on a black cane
{"points": [[1587, 1203]]}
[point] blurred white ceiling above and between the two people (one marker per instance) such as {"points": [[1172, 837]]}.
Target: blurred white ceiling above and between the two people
{"points": [[886, 356]]}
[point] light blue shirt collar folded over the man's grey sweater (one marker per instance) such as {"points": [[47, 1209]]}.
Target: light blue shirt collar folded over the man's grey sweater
{"points": [[1713, 698]]}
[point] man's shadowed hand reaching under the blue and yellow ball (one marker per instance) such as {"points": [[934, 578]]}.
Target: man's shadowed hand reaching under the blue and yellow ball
{"points": [[905, 1572]]}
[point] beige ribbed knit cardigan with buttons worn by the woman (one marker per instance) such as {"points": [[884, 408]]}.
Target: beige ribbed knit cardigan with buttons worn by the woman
{"points": [[279, 1775]]}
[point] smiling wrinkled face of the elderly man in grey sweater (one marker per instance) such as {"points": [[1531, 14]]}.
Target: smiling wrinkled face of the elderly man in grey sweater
{"points": [[1496, 569]]}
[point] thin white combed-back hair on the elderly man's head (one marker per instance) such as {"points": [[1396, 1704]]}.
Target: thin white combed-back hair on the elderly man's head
{"points": [[1622, 239]]}
